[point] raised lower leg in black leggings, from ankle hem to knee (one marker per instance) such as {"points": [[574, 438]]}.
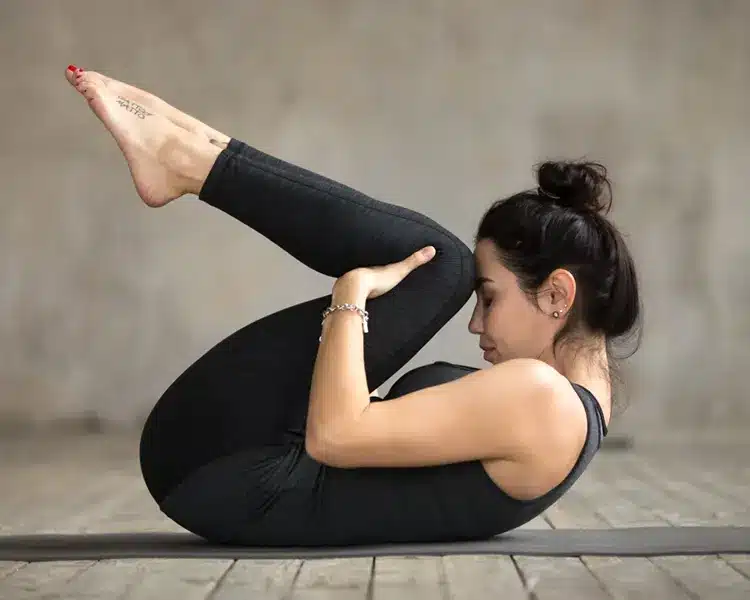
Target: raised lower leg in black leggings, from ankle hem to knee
{"points": [[326, 225]]}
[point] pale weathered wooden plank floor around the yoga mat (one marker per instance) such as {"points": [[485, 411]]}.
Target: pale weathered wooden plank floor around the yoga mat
{"points": [[92, 484]]}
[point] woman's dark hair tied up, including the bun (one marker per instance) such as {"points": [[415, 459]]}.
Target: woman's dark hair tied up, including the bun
{"points": [[562, 224]]}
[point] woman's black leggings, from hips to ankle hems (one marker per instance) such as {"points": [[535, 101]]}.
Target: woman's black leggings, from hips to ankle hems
{"points": [[234, 421]]}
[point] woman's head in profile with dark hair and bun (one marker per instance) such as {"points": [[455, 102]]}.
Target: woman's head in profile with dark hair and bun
{"points": [[552, 269]]}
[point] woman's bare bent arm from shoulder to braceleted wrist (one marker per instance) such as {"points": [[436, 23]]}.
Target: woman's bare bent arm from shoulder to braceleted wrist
{"points": [[494, 413]]}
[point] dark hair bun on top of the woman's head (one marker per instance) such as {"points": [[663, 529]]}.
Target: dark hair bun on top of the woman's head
{"points": [[579, 186]]}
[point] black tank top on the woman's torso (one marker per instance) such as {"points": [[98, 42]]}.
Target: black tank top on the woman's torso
{"points": [[454, 502]]}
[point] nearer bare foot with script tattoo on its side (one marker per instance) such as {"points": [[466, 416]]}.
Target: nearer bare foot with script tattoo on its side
{"points": [[165, 161]]}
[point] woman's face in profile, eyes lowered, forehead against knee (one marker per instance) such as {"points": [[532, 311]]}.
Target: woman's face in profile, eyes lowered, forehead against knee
{"points": [[509, 324]]}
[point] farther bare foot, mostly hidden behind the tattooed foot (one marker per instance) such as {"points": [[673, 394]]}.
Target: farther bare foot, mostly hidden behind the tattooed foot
{"points": [[152, 104]]}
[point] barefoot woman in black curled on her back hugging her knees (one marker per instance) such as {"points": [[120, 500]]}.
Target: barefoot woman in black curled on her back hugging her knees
{"points": [[272, 437]]}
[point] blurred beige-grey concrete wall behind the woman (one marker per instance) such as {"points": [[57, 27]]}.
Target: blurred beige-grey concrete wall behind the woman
{"points": [[438, 105]]}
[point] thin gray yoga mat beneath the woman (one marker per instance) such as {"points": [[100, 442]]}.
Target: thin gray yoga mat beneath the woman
{"points": [[638, 541]]}
